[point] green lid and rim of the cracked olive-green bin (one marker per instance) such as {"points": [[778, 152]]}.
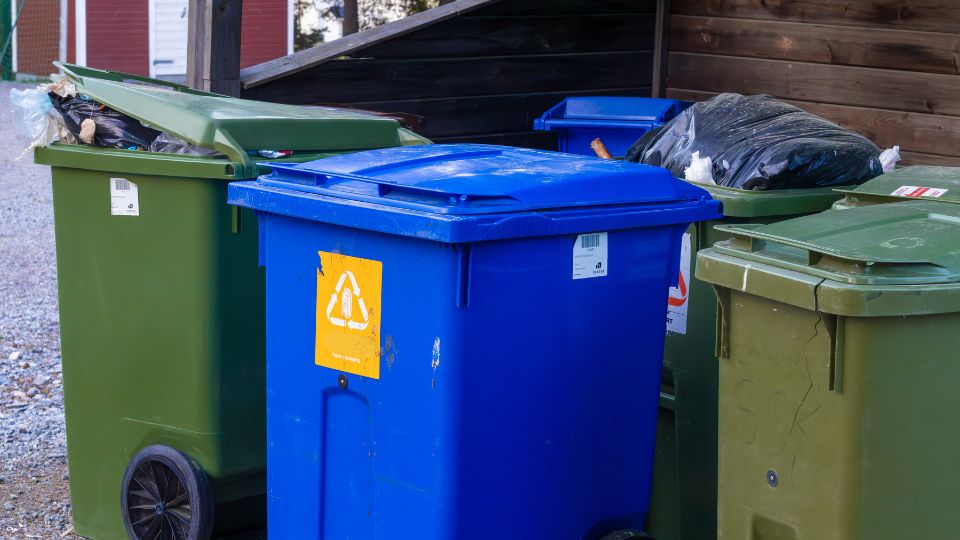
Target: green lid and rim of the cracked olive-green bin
{"points": [[899, 258]]}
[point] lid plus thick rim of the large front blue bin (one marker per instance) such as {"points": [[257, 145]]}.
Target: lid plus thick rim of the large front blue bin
{"points": [[450, 184]]}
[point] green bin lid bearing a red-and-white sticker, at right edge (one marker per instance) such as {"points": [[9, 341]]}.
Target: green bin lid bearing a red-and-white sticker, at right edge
{"points": [[916, 182]]}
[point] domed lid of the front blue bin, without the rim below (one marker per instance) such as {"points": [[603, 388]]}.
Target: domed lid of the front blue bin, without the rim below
{"points": [[465, 179]]}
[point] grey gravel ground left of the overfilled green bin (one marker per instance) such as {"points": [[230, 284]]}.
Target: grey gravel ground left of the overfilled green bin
{"points": [[34, 486]]}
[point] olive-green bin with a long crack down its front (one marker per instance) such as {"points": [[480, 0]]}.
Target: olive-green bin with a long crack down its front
{"points": [[838, 342]]}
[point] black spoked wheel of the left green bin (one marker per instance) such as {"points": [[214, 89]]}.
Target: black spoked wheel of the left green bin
{"points": [[166, 496]]}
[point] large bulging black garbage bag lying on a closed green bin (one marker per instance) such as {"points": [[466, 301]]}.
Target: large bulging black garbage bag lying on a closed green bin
{"points": [[759, 142]]}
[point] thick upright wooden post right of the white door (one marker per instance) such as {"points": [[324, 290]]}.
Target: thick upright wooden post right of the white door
{"points": [[213, 46]]}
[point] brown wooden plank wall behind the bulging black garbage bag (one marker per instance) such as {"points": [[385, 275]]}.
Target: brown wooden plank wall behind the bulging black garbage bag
{"points": [[889, 69]]}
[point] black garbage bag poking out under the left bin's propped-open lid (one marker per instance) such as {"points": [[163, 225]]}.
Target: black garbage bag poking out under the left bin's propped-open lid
{"points": [[113, 128]]}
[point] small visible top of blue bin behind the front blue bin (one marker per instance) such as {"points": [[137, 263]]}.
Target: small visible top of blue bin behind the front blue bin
{"points": [[617, 121]]}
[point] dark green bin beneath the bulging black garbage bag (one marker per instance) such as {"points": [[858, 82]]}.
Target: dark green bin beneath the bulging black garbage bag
{"points": [[685, 471]]}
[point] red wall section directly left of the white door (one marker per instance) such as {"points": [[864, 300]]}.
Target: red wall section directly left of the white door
{"points": [[117, 36]]}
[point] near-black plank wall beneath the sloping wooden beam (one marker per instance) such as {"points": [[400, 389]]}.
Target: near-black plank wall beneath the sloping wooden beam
{"points": [[485, 75]]}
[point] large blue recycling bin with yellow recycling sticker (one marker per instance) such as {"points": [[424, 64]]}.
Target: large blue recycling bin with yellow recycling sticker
{"points": [[464, 341]]}
